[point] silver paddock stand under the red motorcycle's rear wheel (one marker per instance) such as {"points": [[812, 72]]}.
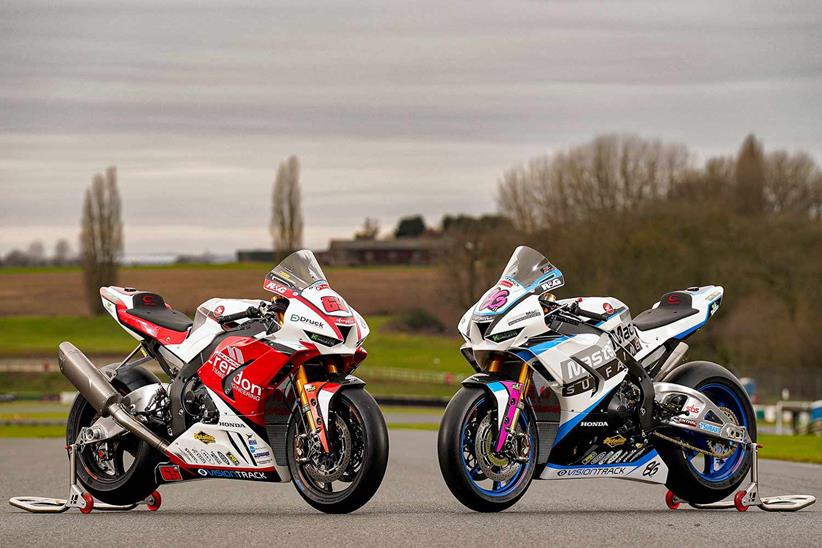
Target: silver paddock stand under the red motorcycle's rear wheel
{"points": [[78, 498]]}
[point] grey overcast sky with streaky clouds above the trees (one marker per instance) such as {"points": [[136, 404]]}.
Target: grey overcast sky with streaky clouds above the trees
{"points": [[393, 107]]}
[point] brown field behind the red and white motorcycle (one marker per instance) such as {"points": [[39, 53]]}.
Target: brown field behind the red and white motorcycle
{"points": [[58, 291]]}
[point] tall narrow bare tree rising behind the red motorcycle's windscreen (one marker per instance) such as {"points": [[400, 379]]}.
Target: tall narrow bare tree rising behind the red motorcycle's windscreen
{"points": [[286, 209]]}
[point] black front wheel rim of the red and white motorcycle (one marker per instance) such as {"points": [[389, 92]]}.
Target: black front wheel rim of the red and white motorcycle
{"points": [[346, 416]]}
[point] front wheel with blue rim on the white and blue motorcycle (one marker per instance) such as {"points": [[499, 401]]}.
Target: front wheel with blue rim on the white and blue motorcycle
{"points": [[468, 423]]}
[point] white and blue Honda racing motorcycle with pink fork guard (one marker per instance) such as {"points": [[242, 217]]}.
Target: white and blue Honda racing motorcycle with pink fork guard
{"points": [[575, 388]]}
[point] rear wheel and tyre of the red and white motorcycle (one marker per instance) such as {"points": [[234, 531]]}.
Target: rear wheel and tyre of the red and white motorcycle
{"points": [[119, 471]]}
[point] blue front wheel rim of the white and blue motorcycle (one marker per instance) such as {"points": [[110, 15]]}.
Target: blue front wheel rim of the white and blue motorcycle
{"points": [[470, 461]]}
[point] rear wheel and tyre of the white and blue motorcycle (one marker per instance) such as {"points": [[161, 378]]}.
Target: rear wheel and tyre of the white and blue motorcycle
{"points": [[697, 477]]}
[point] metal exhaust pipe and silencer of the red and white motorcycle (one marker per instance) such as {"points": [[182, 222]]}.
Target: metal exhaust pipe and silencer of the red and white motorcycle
{"points": [[103, 397]]}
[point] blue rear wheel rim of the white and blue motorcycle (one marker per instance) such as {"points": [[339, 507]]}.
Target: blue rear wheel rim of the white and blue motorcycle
{"points": [[712, 469]]}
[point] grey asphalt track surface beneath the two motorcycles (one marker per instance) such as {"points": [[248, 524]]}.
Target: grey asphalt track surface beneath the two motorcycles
{"points": [[413, 508]]}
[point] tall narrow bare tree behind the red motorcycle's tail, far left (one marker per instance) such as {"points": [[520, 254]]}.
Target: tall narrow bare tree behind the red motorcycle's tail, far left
{"points": [[101, 238]]}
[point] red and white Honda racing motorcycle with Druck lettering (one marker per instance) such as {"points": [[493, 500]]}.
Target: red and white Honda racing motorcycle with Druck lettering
{"points": [[258, 391]]}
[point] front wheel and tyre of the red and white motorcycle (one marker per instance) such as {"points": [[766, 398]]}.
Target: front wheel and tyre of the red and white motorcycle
{"points": [[345, 478]]}
